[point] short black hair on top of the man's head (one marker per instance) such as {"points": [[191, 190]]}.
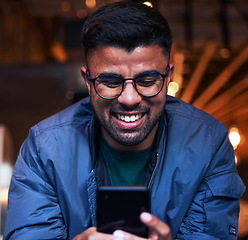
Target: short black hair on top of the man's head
{"points": [[126, 25]]}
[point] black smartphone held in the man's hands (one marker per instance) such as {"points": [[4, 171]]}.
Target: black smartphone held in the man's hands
{"points": [[120, 208]]}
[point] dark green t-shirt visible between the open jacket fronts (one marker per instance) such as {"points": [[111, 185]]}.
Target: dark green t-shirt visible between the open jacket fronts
{"points": [[125, 168]]}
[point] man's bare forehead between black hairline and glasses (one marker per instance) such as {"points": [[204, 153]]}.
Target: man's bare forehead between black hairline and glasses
{"points": [[112, 59]]}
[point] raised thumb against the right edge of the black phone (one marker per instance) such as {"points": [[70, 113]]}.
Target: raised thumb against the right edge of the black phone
{"points": [[155, 225]]}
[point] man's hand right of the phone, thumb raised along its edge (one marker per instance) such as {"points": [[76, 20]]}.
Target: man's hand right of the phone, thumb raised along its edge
{"points": [[158, 230]]}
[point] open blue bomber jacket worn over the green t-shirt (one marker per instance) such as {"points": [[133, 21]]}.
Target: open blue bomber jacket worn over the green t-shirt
{"points": [[194, 184]]}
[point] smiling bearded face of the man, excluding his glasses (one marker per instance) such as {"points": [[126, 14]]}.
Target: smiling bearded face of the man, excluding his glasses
{"points": [[130, 121]]}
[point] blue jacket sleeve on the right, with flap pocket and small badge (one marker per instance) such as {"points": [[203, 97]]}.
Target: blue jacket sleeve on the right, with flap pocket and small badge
{"points": [[214, 211]]}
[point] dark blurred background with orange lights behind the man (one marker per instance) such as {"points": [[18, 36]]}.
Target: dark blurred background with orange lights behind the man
{"points": [[40, 60]]}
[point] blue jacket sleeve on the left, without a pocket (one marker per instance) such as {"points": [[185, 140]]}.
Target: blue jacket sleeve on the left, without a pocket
{"points": [[33, 208]]}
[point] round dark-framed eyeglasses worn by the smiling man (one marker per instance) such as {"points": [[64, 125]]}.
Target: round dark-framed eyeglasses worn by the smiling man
{"points": [[110, 86]]}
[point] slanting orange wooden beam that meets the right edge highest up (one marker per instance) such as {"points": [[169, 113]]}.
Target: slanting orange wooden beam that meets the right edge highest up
{"points": [[222, 78]]}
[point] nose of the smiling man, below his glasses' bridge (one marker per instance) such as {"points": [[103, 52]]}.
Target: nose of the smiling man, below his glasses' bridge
{"points": [[129, 95]]}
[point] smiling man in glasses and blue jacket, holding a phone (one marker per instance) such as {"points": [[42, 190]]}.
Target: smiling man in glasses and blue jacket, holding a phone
{"points": [[127, 133]]}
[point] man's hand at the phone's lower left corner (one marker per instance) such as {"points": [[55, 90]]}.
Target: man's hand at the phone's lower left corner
{"points": [[92, 234]]}
